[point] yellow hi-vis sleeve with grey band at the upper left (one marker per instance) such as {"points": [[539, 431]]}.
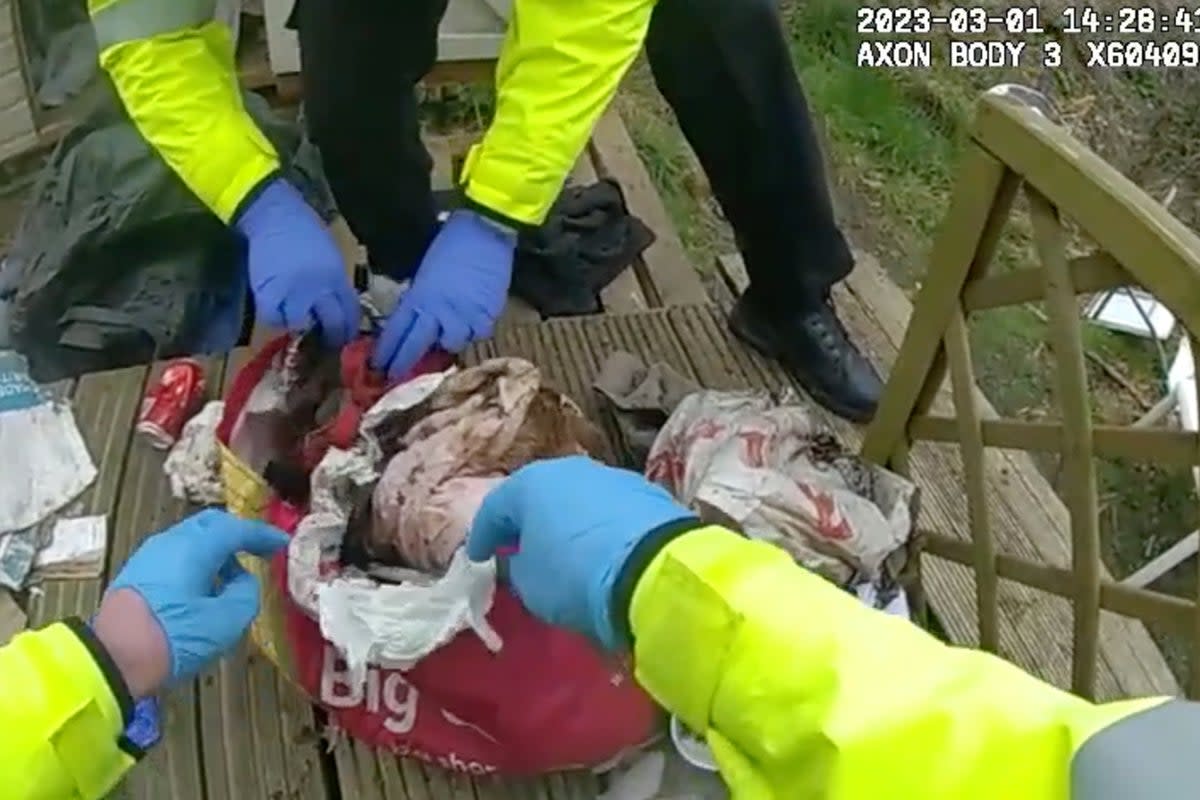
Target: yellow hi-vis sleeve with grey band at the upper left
{"points": [[175, 70]]}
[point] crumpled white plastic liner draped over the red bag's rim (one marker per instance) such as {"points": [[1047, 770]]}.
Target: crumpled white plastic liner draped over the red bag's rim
{"points": [[367, 621]]}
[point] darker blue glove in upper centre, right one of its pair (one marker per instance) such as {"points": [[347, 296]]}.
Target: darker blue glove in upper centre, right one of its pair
{"points": [[457, 297]]}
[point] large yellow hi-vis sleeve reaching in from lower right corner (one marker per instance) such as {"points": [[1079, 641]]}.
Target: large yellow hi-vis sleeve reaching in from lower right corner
{"points": [[801, 691]]}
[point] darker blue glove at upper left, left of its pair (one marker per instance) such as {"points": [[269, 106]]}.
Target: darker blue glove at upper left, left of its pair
{"points": [[296, 269]]}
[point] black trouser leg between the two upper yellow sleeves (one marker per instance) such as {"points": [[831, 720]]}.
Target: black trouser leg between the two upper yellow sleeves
{"points": [[361, 62]]}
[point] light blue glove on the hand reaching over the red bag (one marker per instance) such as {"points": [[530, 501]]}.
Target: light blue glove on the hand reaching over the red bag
{"points": [[574, 522]]}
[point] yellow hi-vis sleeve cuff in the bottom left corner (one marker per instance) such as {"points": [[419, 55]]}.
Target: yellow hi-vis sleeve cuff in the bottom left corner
{"points": [[63, 714]]}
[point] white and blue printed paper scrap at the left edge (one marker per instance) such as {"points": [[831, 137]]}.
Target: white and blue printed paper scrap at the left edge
{"points": [[56, 466]]}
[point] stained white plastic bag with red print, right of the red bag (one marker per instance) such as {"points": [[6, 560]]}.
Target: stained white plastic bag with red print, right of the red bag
{"points": [[770, 471]]}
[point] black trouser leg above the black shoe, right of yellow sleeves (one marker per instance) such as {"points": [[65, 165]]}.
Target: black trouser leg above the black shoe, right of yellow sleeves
{"points": [[724, 67]]}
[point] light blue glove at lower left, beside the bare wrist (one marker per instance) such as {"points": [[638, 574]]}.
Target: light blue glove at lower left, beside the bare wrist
{"points": [[197, 593]]}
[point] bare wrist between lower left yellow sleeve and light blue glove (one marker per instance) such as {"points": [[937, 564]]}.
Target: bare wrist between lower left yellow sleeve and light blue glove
{"points": [[134, 640]]}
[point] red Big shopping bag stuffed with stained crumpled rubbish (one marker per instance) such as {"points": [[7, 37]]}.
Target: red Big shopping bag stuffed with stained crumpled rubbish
{"points": [[375, 610]]}
